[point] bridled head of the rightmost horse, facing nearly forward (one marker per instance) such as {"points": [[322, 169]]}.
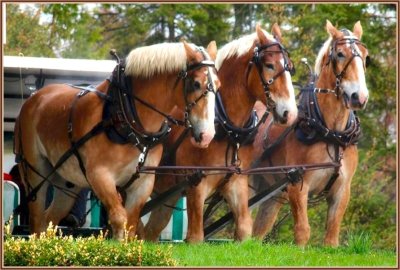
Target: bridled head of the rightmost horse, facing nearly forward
{"points": [[347, 59]]}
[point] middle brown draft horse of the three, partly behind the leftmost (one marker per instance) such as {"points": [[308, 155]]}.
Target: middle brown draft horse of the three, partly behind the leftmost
{"points": [[254, 67]]}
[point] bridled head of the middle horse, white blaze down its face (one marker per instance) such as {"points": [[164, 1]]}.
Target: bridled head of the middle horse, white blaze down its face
{"points": [[273, 67]]}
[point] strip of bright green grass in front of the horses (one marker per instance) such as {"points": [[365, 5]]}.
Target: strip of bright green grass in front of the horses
{"points": [[255, 253]]}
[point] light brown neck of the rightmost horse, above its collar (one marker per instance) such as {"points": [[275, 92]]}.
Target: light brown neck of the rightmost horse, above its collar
{"points": [[333, 109]]}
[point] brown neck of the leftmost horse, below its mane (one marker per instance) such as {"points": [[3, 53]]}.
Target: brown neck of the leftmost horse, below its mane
{"points": [[159, 93]]}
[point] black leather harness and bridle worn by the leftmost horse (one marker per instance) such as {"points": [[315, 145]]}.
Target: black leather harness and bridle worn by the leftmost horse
{"points": [[120, 122]]}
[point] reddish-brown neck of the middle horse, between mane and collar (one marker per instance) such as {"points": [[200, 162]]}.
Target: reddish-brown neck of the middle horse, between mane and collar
{"points": [[235, 95]]}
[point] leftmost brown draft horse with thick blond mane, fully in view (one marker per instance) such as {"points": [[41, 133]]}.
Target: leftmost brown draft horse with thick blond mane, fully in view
{"points": [[154, 81]]}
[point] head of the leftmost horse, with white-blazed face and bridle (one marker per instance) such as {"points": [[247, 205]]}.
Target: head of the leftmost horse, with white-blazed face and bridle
{"points": [[200, 79]]}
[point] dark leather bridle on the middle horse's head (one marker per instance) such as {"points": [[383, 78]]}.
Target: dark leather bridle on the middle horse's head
{"points": [[288, 66]]}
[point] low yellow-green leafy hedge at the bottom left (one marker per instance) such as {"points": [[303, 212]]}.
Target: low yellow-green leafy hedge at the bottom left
{"points": [[51, 250]]}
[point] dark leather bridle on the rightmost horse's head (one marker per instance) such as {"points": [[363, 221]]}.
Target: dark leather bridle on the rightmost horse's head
{"points": [[348, 39]]}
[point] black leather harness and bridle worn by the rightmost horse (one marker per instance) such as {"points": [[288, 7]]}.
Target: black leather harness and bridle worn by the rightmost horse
{"points": [[311, 128]]}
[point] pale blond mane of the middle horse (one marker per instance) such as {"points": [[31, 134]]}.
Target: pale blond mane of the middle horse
{"points": [[238, 47]]}
